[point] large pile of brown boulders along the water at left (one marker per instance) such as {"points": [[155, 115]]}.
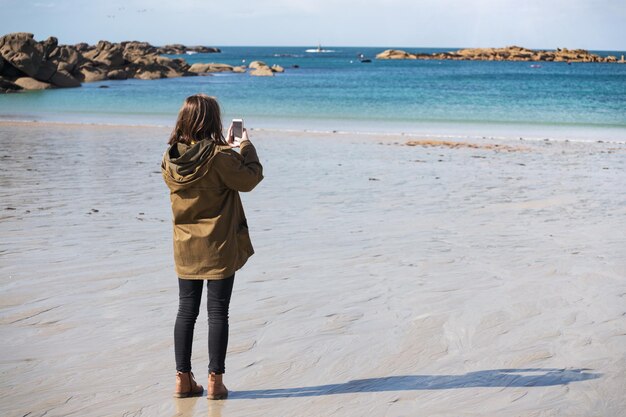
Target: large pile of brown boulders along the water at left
{"points": [[47, 64]]}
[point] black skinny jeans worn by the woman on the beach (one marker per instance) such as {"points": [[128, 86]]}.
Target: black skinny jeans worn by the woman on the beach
{"points": [[218, 300]]}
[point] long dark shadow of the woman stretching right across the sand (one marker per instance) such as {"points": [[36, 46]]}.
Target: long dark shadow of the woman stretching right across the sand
{"points": [[529, 377]]}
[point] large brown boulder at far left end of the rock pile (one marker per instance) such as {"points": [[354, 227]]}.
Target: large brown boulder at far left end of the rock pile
{"points": [[22, 52]]}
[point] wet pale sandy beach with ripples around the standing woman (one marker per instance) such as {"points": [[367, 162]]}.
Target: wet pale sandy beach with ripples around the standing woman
{"points": [[388, 280]]}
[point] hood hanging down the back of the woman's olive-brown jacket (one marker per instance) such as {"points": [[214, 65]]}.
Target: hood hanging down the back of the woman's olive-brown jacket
{"points": [[183, 164]]}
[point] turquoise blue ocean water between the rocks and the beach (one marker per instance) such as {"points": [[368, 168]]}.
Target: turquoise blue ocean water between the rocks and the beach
{"points": [[335, 91]]}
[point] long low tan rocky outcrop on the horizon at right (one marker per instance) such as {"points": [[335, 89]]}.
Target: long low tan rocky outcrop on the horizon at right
{"points": [[510, 53]]}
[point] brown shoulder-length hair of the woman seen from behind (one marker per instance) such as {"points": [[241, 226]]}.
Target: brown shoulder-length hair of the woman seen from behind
{"points": [[199, 118]]}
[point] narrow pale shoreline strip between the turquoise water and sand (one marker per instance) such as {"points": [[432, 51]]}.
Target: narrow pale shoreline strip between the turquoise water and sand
{"points": [[406, 136]]}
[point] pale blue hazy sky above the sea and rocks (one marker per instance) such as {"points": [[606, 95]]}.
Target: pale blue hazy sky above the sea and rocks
{"points": [[590, 24]]}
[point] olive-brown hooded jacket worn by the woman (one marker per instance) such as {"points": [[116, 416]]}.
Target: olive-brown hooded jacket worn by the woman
{"points": [[211, 239]]}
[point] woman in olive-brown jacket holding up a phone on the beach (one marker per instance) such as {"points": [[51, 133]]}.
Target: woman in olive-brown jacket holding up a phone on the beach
{"points": [[205, 174]]}
